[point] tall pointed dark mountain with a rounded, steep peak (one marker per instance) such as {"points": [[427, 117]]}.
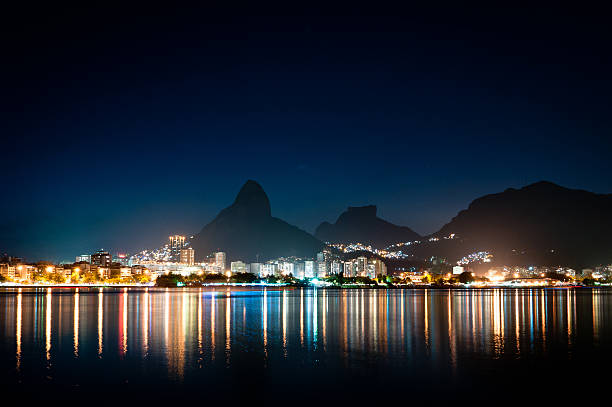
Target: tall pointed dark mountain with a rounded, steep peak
{"points": [[247, 231]]}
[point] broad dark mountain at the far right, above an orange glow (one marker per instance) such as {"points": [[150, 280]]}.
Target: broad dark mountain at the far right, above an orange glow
{"points": [[539, 223]]}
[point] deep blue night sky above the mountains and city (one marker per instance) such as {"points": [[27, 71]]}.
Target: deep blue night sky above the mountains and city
{"points": [[122, 126]]}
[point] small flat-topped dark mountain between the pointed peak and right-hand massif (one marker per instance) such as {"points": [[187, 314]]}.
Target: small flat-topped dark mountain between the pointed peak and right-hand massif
{"points": [[360, 224]]}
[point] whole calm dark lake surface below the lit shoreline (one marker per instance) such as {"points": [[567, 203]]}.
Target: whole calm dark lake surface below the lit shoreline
{"points": [[290, 346]]}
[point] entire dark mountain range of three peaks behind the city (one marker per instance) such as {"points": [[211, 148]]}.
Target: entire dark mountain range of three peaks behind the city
{"points": [[542, 223]]}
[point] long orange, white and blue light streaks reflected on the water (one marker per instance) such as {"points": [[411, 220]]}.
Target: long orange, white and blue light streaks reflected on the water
{"points": [[152, 336]]}
